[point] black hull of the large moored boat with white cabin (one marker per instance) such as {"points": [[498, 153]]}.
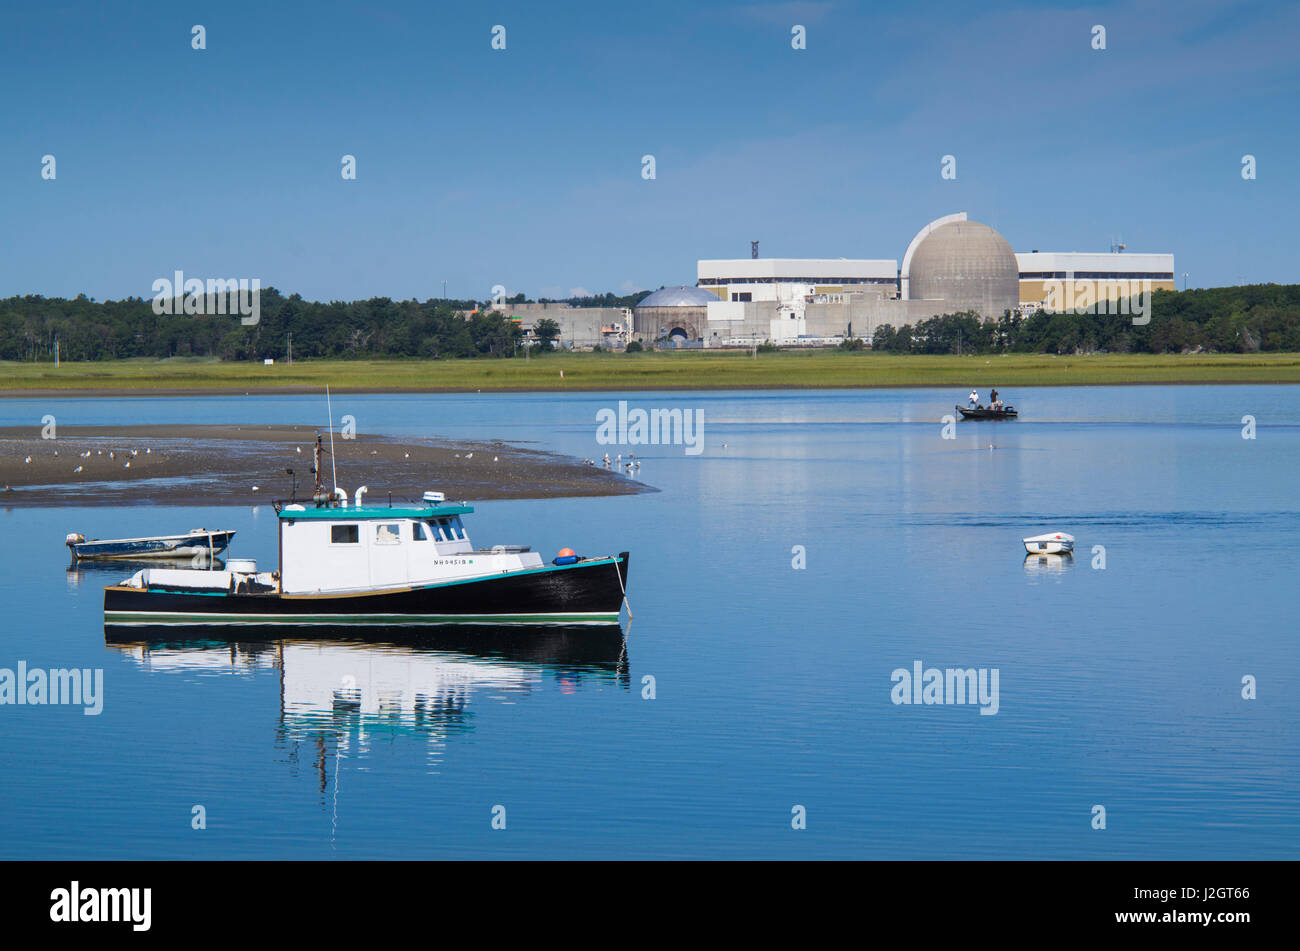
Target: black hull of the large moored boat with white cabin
{"points": [[586, 593]]}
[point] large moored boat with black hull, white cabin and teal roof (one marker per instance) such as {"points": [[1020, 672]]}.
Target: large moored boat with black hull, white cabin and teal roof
{"points": [[369, 564]]}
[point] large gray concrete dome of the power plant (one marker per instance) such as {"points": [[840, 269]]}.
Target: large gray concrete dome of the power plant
{"points": [[969, 267]]}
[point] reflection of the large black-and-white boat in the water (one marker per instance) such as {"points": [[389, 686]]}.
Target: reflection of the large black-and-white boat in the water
{"points": [[380, 683]]}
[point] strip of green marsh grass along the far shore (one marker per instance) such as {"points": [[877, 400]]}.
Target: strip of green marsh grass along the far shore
{"points": [[712, 371]]}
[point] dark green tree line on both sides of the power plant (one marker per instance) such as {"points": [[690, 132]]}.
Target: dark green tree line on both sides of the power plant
{"points": [[1228, 320]]}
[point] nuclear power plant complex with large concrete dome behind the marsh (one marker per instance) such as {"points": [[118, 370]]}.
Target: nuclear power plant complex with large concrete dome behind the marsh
{"points": [[952, 266]]}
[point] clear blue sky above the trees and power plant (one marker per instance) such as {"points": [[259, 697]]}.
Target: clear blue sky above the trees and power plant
{"points": [[523, 168]]}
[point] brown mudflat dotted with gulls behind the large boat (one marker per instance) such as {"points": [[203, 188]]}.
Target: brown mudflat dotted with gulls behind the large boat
{"points": [[187, 464]]}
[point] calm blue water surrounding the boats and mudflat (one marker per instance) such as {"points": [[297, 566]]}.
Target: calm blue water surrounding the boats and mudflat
{"points": [[1119, 688]]}
